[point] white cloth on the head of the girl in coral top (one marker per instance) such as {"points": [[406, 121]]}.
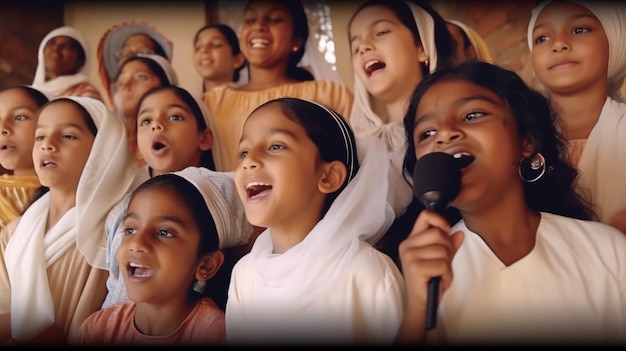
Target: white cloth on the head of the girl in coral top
{"points": [[223, 202]]}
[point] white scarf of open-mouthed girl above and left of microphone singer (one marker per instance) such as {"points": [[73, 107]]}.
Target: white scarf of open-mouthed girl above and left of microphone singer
{"points": [[366, 122]]}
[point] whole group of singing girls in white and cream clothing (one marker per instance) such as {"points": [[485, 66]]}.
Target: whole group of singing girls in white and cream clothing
{"points": [[281, 211]]}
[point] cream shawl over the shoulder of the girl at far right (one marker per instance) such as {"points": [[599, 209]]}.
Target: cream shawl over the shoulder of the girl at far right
{"points": [[603, 160]]}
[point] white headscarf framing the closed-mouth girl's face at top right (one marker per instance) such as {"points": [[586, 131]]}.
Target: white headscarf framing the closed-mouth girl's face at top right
{"points": [[612, 16]]}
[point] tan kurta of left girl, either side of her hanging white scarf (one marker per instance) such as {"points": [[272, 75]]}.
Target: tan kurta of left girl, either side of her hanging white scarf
{"points": [[77, 288]]}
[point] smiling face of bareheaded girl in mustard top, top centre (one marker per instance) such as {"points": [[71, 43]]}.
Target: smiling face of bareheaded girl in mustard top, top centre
{"points": [[267, 33]]}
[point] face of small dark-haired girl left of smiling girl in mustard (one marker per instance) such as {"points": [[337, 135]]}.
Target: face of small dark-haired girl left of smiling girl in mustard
{"points": [[213, 56]]}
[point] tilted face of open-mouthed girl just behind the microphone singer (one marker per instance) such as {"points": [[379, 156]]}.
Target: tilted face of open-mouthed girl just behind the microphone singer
{"points": [[384, 54]]}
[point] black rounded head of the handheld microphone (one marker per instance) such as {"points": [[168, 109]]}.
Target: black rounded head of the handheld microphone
{"points": [[437, 180]]}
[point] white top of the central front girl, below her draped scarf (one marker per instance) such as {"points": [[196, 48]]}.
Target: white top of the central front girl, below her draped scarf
{"points": [[363, 305]]}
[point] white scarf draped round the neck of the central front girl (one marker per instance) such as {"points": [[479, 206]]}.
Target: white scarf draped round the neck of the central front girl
{"points": [[360, 212]]}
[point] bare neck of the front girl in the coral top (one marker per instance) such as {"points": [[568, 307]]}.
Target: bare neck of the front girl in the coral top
{"points": [[162, 319]]}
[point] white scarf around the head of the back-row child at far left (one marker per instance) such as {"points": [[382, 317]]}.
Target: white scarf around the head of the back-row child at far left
{"points": [[58, 85]]}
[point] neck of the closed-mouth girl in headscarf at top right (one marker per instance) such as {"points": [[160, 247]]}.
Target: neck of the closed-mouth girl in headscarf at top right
{"points": [[580, 111]]}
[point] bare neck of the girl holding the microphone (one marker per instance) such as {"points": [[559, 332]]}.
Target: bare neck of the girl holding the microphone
{"points": [[508, 227]]}
